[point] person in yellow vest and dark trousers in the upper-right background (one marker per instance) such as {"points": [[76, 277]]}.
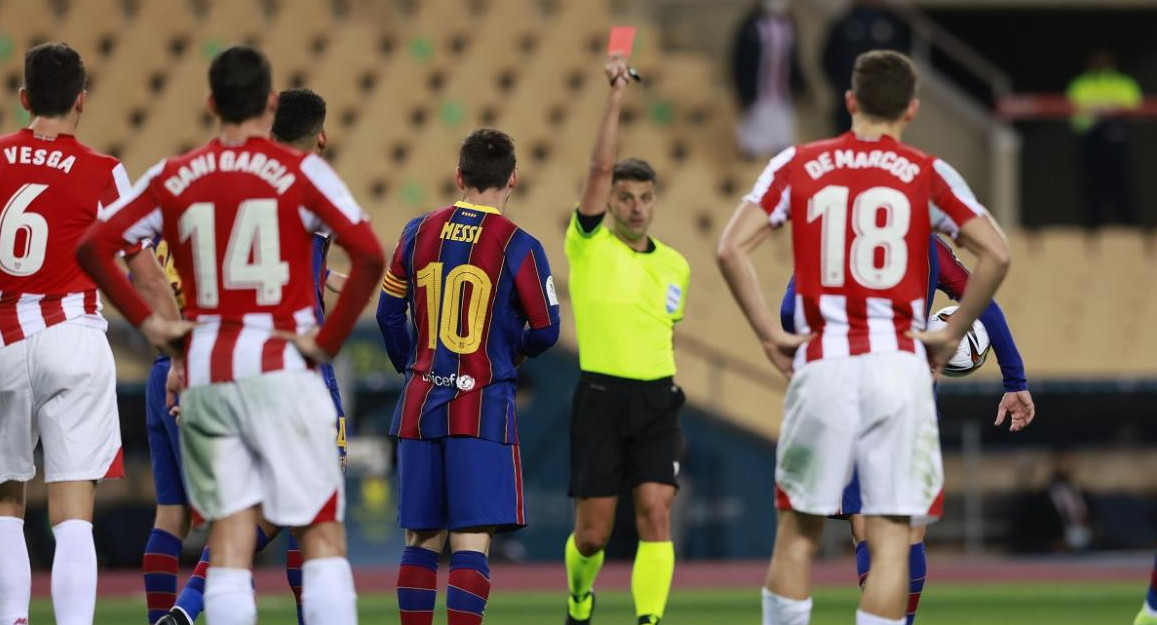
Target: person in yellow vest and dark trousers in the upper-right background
{"points": [[1099, 98]]}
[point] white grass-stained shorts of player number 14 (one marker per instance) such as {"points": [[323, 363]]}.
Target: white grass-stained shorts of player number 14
{"points": [[263, 440]]}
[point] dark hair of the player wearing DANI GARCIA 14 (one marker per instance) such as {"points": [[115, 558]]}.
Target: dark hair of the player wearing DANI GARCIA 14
{"points": [[241, 82]]}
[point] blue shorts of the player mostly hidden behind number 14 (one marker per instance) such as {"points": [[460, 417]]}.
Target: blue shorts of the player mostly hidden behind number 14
{"points": [[164, 443]]}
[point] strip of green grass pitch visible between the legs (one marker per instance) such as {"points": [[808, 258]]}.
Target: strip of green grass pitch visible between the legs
{"points": [[1007, 605]]}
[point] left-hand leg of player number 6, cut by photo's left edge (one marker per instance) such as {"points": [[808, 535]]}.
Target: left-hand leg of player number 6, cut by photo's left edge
{"points": [[16, 570]]}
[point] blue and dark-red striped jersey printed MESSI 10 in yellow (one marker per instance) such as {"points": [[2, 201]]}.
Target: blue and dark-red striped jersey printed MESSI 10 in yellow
{"points": [[473, 282]]}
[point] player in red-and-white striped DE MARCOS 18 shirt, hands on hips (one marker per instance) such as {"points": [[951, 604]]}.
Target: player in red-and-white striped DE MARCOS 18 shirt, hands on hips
{"points": [[860, 396]]}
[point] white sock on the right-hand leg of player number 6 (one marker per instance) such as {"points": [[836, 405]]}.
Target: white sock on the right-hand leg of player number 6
{"points": [[75, 573]]}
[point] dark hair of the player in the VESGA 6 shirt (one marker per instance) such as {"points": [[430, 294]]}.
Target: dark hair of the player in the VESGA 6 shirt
{"points": [[54, 77]]}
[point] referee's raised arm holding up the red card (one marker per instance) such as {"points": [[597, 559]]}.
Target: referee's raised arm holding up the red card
{"points": [[596, 188]]}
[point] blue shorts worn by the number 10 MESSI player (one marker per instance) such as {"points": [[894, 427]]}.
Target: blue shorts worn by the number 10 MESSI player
{"points": [[458, 483]]}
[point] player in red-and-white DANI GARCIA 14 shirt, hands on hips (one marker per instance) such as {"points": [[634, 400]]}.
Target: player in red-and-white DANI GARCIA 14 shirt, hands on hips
{"points": [[257, 422]]}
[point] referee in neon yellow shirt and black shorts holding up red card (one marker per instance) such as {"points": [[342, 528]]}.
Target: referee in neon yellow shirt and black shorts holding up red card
{"points": [[628, 291]]}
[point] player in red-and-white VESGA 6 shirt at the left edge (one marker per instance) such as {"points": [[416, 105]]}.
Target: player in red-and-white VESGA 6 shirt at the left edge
{"points": [[57, 376]]}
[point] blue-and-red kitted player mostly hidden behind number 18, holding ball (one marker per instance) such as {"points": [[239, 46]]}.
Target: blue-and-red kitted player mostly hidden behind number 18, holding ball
{"points": [[952, 277]]}
